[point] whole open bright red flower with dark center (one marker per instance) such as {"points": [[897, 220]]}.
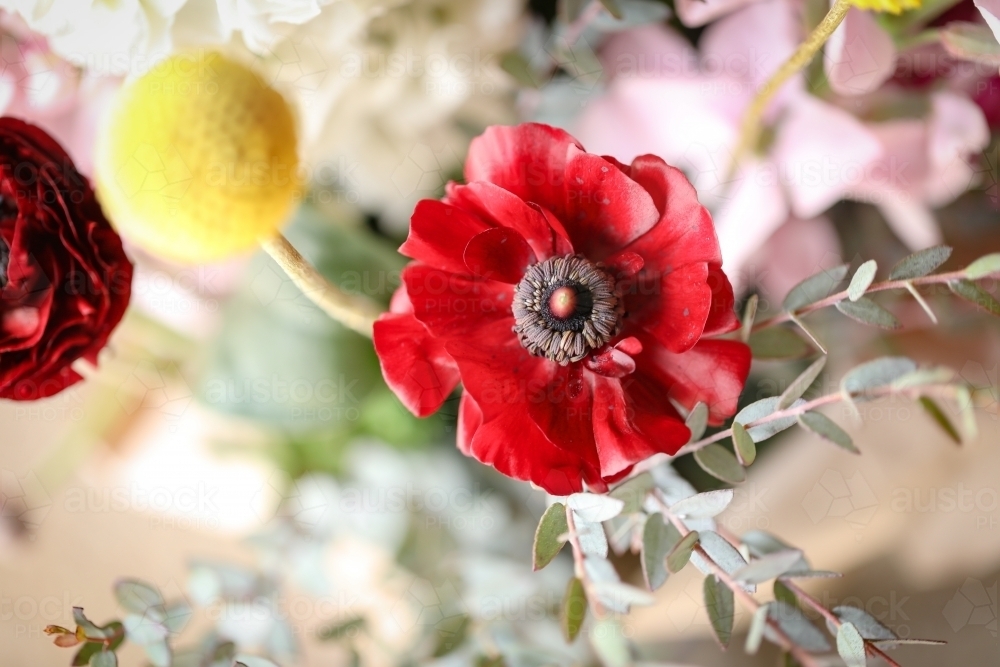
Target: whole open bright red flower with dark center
{"points": [[571, 296]]}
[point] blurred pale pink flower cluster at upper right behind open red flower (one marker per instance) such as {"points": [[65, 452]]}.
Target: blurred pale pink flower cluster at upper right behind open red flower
{"points": [[687, 105]]}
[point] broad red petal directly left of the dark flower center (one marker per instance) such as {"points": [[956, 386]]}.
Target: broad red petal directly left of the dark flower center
{"points": [[455, 306]]}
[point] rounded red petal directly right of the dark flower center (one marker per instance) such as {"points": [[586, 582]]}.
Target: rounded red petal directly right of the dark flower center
{"points": [[676, 312]]}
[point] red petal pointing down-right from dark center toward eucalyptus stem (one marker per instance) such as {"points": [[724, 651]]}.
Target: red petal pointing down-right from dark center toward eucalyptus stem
{"points": [[621, 441]]}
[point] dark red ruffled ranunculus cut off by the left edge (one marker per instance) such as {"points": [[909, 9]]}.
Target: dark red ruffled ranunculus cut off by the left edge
{"points": [[64, 278]]}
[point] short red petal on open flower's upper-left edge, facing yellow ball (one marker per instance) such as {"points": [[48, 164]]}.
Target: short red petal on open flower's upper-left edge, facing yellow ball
{"points": [[439, 233]]}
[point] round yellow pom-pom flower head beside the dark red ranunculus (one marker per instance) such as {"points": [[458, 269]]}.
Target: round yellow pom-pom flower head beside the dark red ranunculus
{"points": [[198, 160]]}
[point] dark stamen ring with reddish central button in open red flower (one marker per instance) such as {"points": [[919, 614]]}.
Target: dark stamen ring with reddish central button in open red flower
{"points": [[565, 307]]}
